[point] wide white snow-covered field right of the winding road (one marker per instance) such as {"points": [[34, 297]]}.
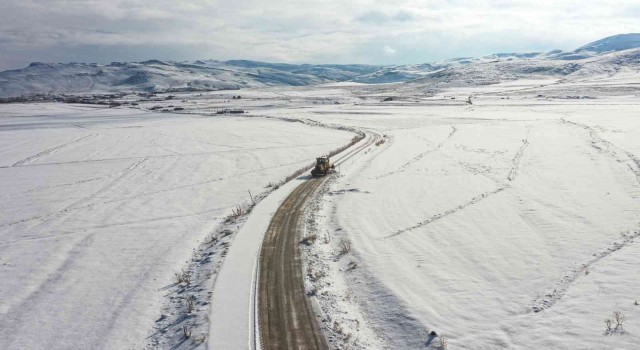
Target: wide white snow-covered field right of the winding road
{"points": [[499, 225]]}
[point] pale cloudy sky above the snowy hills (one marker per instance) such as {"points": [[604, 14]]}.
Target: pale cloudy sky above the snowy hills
{"points": [[320, 31]]}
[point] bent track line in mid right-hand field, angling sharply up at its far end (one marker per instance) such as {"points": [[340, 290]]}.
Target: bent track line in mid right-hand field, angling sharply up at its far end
{"points": [[513, 173]]}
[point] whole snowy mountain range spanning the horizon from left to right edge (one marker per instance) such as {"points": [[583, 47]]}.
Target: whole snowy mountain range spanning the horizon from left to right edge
{"points": [[606, 56]]}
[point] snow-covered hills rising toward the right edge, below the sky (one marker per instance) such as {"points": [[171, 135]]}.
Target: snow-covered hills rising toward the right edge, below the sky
{"points": [[598, 56]]}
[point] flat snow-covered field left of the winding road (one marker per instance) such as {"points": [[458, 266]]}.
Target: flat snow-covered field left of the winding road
{"points": [[100, 207]]}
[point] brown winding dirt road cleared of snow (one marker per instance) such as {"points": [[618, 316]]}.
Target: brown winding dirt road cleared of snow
{"points": [[285, 315]]}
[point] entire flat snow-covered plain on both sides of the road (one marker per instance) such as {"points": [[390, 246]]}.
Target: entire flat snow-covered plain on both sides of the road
{"points": [[509, 223]]}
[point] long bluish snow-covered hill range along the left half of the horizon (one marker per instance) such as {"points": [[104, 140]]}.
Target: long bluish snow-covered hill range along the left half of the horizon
{"points": [[155, 75]]}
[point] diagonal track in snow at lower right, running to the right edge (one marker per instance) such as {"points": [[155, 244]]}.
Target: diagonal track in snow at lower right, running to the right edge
{"points": [[551, 297]]}
